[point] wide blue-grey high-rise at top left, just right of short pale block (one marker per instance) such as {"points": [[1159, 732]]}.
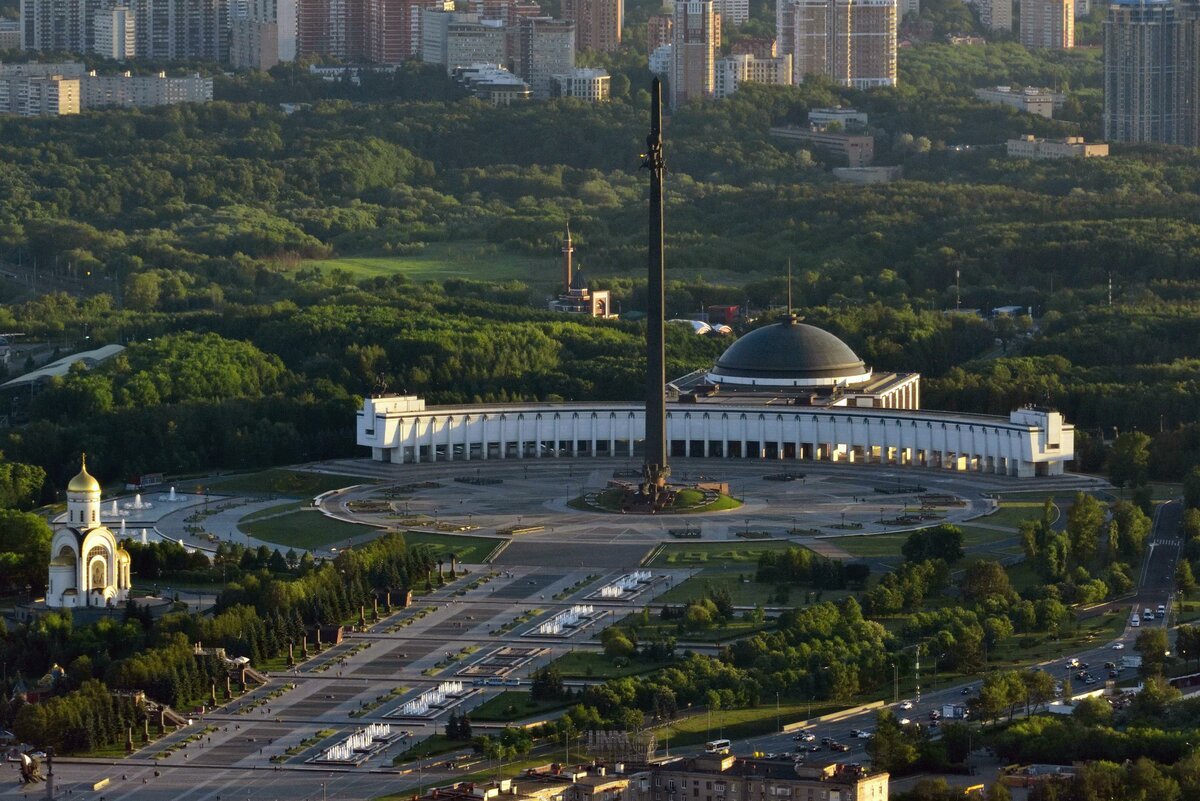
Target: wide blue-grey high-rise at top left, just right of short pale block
{"points": [[182, 29]]}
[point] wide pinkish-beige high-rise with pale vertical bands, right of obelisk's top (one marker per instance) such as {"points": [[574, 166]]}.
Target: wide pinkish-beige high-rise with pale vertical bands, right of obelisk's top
{"points": [[850, 41]]}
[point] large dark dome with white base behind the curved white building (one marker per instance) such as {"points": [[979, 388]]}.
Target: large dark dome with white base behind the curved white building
{"points": [[790, 353]]}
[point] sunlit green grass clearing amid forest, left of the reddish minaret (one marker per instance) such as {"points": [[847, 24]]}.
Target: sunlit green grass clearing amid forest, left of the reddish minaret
{"points": [[441, 261]]}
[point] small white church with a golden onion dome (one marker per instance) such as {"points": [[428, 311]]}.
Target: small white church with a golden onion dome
{"points": [[88, 567]]}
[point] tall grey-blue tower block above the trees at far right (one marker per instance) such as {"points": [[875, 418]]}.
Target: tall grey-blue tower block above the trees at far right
{"points": [[1142, 73]]}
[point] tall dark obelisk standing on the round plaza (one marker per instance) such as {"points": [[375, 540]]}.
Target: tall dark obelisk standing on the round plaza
{"points": [[656, 469]]}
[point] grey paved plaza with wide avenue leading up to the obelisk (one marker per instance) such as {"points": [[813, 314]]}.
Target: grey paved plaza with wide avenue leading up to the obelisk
{"points": [[563, 561]]}
